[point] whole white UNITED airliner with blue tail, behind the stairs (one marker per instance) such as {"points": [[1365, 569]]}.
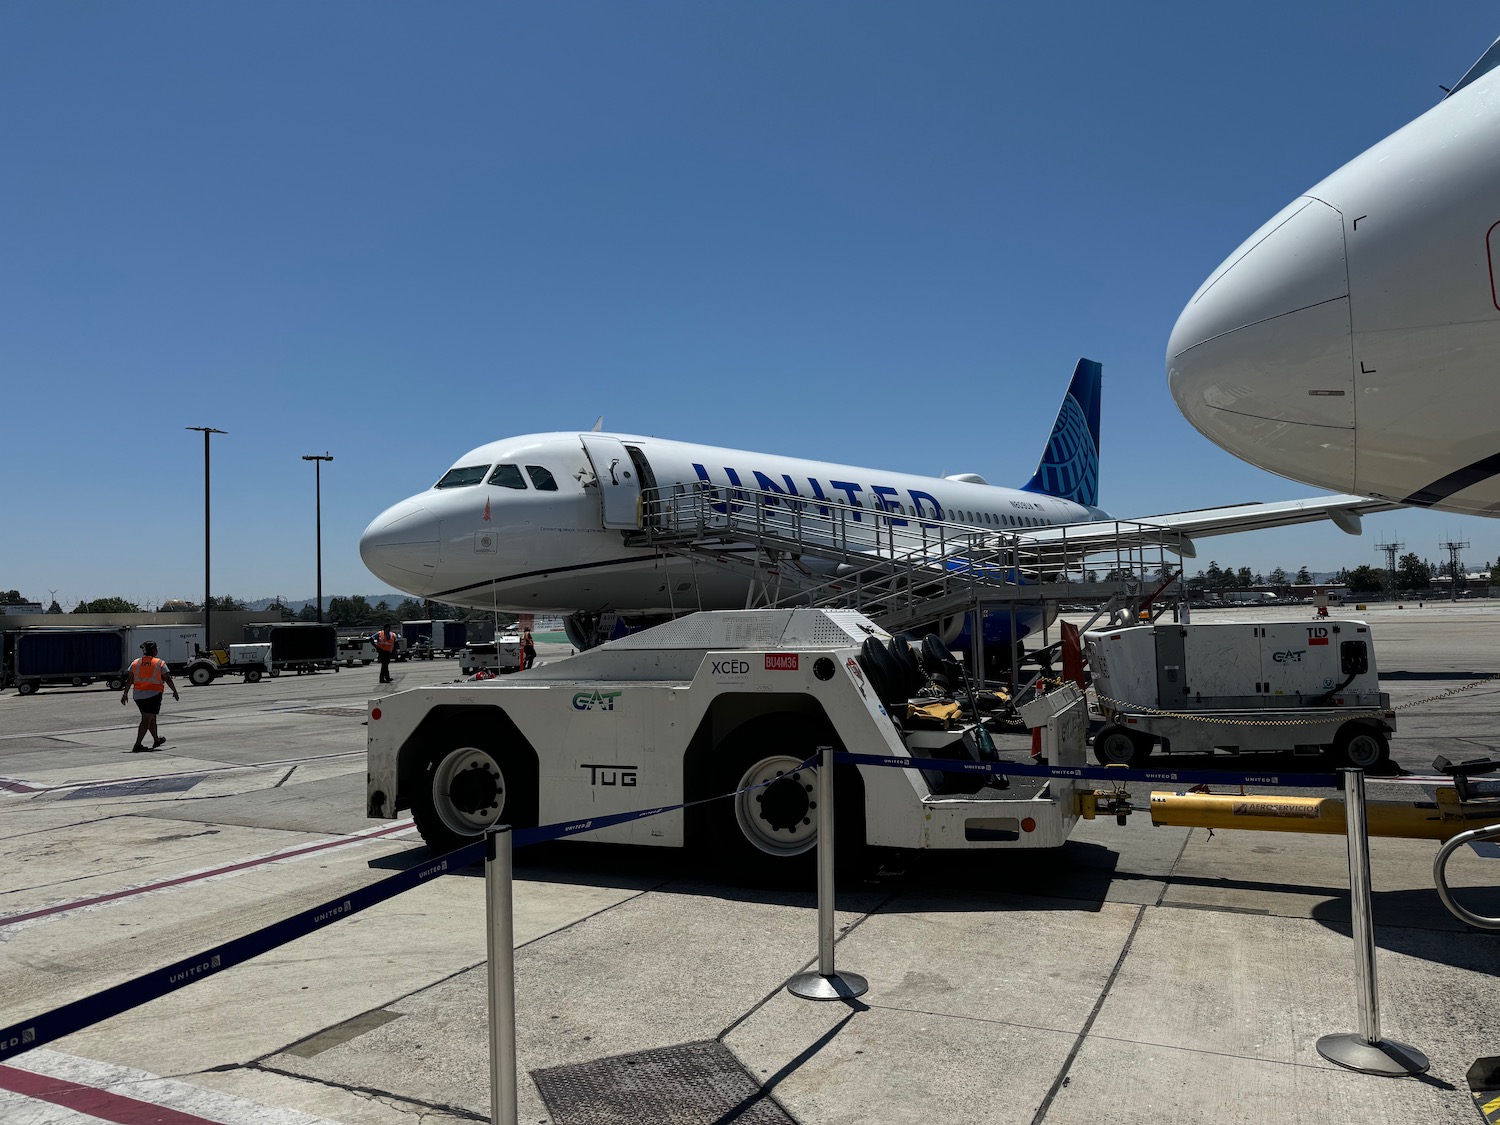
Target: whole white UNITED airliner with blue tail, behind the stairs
{"points": [[541, 523]]}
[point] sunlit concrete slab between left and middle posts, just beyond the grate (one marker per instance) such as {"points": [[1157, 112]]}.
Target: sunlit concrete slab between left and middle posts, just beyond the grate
{"points": [[673, 967]]}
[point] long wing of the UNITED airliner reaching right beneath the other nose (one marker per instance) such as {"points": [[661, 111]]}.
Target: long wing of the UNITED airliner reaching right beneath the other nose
{"points": [[1178, 530]]}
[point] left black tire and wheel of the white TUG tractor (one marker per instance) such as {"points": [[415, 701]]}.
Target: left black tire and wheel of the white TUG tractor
{"points": [[470, 785]]}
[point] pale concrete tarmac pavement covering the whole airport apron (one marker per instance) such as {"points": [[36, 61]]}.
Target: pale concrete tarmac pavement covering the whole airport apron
{"points": [[1138, 974]]}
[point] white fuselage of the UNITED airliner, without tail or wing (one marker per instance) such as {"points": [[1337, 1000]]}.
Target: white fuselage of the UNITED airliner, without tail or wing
{"points": [[560, 550]]}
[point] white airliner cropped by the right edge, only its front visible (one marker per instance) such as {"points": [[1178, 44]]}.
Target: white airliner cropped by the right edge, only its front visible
{"points": [[1354, 341]]}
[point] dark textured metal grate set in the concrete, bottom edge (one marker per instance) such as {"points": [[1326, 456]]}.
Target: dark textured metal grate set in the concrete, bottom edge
{"points": [[694, 1084]]}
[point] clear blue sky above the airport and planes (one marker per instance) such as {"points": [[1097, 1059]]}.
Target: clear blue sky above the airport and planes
{"points": [[863, 232]]}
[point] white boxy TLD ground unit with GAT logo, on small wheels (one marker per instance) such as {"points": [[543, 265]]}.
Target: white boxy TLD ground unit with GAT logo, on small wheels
{"points": [[1304, 686]]}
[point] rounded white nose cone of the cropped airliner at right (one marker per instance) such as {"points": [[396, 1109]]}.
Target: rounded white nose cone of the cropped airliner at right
{"points": [[1261, 361]]}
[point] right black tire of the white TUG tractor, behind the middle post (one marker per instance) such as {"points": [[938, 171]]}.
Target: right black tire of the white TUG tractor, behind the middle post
{"points": [[770, 833]]}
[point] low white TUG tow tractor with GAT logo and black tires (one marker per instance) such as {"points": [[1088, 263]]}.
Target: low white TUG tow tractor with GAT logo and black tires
{"points": [[692, 710]]}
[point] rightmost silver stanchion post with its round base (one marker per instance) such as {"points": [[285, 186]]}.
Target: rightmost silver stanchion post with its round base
{"points": [[1366, 1051]]}
